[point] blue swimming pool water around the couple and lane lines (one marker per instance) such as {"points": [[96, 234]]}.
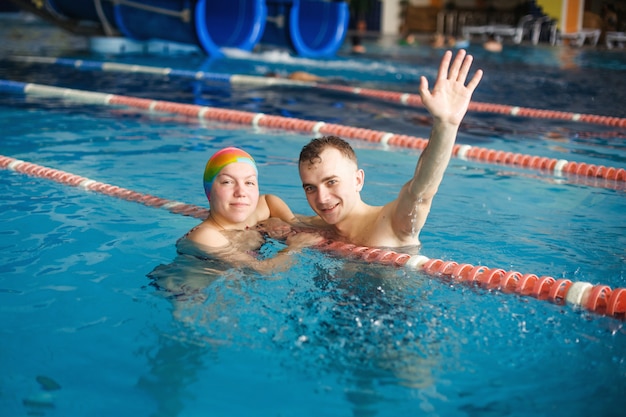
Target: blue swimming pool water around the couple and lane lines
{"points": [[87, 334]]}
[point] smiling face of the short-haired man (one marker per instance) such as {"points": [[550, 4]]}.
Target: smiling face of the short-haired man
{"points": [[331, 185]]}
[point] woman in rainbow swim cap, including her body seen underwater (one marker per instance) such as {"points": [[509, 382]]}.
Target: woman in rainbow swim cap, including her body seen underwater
{"points": [[239, 223]]}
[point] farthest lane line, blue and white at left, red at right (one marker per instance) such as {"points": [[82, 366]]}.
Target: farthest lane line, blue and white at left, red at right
{"points": [[404, 98]]}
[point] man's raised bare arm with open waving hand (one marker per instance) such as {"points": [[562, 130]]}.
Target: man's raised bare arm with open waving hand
{"points": [[447, 104]]}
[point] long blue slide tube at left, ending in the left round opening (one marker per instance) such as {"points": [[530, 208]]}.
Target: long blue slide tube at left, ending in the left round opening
{"points": [[210, 24]]}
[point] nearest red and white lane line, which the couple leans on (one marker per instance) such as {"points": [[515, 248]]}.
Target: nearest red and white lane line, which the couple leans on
{"points": [[599, 299]]}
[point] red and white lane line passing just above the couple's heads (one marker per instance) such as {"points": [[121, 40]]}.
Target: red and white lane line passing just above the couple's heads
{"points": [[467, 152]]}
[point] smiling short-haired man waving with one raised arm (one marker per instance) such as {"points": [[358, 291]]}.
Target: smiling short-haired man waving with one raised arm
{"points": [[332, 180]]}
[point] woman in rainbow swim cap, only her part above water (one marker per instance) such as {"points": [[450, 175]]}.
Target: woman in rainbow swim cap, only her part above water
{"points": [[240, 219]]}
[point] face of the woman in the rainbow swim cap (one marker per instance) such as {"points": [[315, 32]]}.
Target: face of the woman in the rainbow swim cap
{"points": [[235, 192]]}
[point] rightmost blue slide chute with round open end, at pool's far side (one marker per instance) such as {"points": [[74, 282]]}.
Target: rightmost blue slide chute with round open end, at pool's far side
{"points": [[312, 28]]}
